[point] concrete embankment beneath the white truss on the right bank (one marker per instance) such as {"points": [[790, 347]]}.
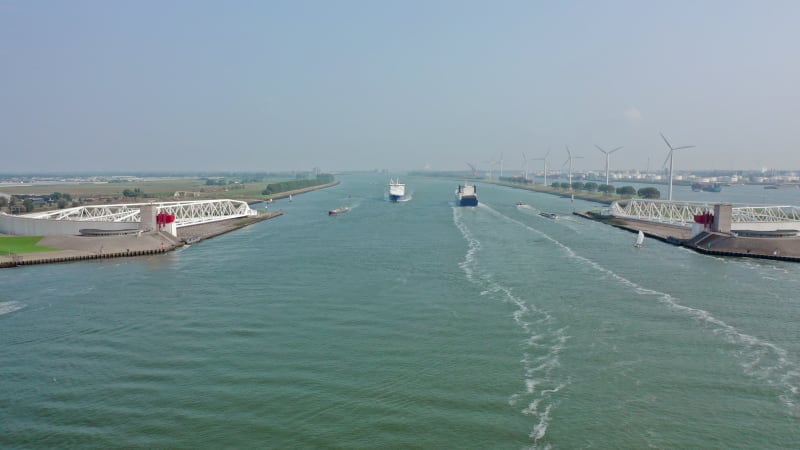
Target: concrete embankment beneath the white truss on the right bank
{"points": [[707, 242]]}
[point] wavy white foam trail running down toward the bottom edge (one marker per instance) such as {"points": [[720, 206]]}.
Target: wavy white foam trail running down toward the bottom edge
{"points": [[547, 341]]}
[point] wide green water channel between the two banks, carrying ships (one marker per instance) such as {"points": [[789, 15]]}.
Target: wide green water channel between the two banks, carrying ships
{"points": [[412, 325]]}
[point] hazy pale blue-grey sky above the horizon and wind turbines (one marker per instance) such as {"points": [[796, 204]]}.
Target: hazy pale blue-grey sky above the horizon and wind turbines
{"points": [[288, 85]]}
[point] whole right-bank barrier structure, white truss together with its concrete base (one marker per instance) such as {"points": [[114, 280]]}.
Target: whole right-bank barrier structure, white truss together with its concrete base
{"points": [[768, 232]]}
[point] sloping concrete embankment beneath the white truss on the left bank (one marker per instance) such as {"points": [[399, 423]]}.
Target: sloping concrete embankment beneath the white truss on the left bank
{"points": [[78, 248]]}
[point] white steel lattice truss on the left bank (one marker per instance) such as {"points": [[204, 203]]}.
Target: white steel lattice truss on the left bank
{"points": [[186, 213]]}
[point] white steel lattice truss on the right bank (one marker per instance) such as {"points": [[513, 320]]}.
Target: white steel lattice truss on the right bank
{"points": [[682, 213]]}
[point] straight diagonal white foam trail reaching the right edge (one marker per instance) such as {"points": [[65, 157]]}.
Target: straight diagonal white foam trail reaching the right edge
{"points": [[758, 358]]}
